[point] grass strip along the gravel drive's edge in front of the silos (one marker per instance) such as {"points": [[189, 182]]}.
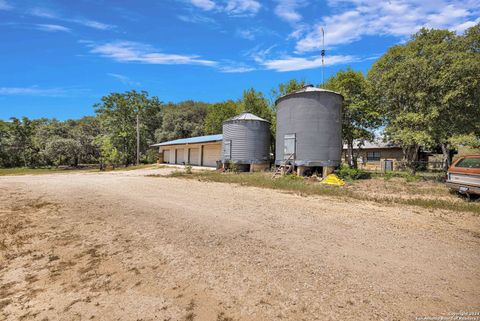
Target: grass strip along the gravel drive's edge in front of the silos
{"points": [[302, 186]]}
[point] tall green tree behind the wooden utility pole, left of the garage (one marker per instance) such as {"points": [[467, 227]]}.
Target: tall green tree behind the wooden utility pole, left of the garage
{"points": [[118, 117]]}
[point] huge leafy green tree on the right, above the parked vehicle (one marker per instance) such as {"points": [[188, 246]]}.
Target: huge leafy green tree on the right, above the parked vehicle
{"points": [[428, 90]]}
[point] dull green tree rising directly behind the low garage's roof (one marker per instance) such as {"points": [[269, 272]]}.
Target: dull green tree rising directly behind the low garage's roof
{"points": [[182, 120]]}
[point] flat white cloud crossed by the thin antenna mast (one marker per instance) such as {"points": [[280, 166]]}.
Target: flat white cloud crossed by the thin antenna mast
{"points": [[300, 63]]}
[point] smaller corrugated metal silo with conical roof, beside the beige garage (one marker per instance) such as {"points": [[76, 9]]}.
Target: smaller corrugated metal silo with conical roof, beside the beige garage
{"points": [[246, 142]]}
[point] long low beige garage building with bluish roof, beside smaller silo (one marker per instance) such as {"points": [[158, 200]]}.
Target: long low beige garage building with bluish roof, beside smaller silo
{"points": [[199, 151]]}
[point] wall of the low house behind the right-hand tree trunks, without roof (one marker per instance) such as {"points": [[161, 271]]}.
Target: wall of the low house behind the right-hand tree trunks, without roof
{"points": [[393, 154]]}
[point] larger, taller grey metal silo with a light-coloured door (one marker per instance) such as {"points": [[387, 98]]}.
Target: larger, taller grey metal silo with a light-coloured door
{"points": [[309, 127]]}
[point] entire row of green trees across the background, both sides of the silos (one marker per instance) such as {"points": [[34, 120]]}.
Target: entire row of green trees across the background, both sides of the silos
{"points": [[424, 93]]}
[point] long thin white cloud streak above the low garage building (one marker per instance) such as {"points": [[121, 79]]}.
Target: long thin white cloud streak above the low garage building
{"points": [[127, 51]]}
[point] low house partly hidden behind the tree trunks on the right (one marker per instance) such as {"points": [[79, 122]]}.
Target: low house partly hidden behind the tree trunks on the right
{"points": [[380, 156]]}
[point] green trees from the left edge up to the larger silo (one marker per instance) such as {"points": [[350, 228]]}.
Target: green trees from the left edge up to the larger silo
{"points": [[109, 137]]}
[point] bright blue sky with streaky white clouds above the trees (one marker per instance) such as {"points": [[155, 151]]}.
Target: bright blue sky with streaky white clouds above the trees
{"points": [[59, 57]]}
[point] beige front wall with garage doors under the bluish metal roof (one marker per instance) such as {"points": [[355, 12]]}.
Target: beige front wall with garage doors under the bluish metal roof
{"points": [[202, 154]]}
